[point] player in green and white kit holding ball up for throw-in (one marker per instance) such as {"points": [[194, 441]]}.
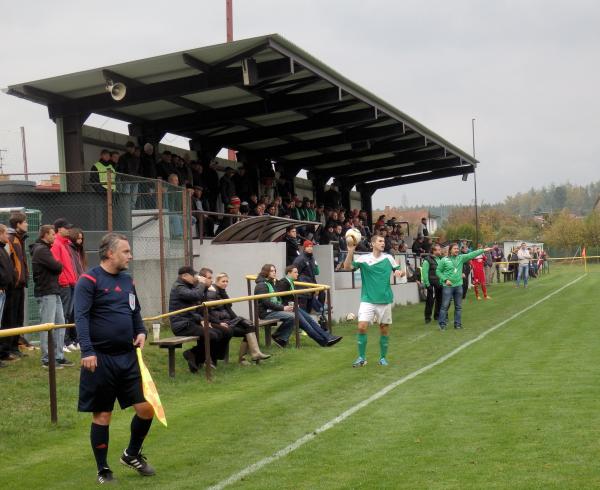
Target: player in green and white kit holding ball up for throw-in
{"points": [[376, 296]]}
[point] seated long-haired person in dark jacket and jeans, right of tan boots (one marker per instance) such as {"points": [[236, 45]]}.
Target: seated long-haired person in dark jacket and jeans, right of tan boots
{"points": [[273, 308]]}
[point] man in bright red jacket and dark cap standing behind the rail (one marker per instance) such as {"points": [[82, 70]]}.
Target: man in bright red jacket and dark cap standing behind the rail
{"points": [[68, 277]]}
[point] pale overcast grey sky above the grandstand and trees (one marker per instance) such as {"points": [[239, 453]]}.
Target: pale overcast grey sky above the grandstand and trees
{"points": [[527, 71]]}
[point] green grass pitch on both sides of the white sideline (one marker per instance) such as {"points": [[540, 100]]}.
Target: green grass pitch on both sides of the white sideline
{"points": [[519, 409]]}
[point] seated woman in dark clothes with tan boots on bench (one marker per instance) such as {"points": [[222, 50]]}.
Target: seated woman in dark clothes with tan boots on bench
{"points": [[234, 325]]}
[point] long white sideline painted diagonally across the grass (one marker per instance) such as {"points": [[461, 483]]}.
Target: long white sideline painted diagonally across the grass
{"points": [[384, 391]]}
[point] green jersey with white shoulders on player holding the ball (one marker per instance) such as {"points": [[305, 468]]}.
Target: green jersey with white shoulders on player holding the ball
{"points": [[375, 273]]}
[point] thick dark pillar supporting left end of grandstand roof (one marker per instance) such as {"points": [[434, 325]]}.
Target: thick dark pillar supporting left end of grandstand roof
{"points": [[70, 151]]}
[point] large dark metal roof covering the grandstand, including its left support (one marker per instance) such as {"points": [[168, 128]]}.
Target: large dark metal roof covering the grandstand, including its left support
{"points": [[293, 110]]}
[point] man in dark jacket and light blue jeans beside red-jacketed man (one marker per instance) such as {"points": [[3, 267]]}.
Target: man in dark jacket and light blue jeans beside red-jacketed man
{"points": [[46, 270]]}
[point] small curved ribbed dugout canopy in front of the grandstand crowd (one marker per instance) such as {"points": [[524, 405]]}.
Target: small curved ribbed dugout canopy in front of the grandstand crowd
{"points": [[257, 229]]}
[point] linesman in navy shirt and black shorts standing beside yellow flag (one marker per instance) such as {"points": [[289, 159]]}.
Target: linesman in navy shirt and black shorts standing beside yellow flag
{"points": [[110, 327]]}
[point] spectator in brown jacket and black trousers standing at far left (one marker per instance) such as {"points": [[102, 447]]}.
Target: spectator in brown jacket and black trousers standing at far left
{"points": [[14, 309]]}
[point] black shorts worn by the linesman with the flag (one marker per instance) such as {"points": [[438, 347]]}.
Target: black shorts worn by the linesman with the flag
{"points": [[117, 377]]}
